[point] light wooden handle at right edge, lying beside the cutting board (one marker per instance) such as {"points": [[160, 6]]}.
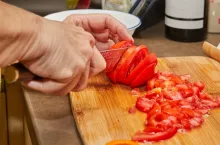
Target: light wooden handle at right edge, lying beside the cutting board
{"points": [[211, 50]]}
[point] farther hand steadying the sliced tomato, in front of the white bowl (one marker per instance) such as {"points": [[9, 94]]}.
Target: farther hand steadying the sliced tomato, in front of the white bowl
{"points": [[105, 28]]}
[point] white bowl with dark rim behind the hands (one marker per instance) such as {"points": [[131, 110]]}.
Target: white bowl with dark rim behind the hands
{"points": [[130, 21]]}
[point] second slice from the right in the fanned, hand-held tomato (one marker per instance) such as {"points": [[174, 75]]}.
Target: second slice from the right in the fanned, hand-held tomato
{"points": [[149, 59]]}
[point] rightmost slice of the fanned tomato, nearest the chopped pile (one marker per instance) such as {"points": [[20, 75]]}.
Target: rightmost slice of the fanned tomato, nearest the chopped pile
{"points": [[144, 76]]}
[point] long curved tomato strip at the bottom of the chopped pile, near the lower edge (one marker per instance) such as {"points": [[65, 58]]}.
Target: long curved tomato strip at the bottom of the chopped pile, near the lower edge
{"points": [[144, 136]]}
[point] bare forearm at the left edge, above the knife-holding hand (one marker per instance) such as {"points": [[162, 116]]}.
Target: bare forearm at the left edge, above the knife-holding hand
{"points": [[19, 30]]}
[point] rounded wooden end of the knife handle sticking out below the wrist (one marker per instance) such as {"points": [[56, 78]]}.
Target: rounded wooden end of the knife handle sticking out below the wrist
{"points": [[17, 72]]}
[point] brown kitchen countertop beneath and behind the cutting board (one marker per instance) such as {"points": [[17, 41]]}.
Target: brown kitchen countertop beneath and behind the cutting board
{"points": [[50, 118]]}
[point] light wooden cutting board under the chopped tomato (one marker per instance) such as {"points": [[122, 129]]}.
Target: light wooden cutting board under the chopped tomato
{"points": [[101, 111]]}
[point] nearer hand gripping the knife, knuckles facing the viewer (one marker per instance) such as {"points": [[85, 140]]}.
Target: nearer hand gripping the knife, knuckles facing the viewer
{"points": [[63, 54]]}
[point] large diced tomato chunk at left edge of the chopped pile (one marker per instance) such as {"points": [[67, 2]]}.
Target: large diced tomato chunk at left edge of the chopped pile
{"points": [[143, 104]]}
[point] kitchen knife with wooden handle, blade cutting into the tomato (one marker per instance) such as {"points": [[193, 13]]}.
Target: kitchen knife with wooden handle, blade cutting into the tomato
{"points": [[17, 71]]}
